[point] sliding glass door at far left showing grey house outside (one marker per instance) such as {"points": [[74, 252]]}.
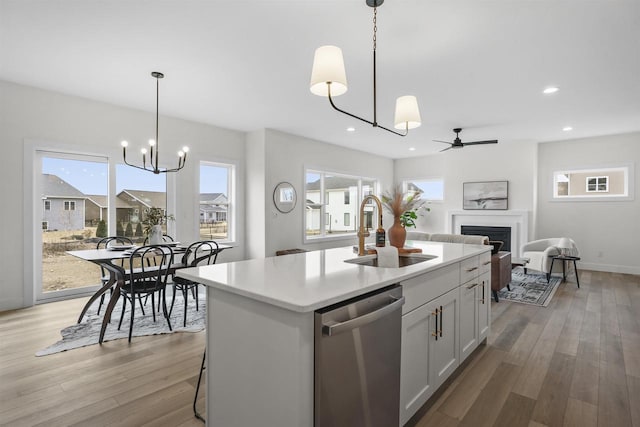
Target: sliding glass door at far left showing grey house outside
{"points": [[73, 201]]}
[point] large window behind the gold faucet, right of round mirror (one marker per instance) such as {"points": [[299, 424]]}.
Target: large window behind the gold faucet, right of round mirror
{"points": [[334, 196]]}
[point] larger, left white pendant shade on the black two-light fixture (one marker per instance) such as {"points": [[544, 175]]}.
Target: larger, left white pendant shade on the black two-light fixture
{"points": [[328, 66]]}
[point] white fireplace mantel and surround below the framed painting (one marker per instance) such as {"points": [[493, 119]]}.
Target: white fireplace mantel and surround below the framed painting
{"points": [[518, 220]]}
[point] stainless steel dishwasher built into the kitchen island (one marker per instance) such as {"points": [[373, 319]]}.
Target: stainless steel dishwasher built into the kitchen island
{"points": [[357, 361]]}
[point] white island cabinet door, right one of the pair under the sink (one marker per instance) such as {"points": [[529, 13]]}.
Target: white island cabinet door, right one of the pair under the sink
{"points": [[444, 353]]}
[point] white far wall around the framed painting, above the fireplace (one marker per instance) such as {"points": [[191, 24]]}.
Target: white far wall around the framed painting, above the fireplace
{"points": [[515, 163]]}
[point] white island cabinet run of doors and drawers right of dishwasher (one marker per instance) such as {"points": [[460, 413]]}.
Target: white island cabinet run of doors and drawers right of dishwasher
{"points": [[446, 315]]}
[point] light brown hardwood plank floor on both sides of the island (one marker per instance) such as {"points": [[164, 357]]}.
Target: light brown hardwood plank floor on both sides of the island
{"points": [[573, 363]]}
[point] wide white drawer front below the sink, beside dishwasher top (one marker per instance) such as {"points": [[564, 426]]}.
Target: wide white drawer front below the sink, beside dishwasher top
{"points": [[422, 289]]}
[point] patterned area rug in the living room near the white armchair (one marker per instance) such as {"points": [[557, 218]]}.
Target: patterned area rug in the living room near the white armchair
{"points": [[530, 288]]}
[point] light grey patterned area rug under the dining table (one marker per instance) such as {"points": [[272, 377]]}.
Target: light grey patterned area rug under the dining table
{"points": [[87, 332]]}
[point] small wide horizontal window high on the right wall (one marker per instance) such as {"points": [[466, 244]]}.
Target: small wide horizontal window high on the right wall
{"points": [[589, 184]]}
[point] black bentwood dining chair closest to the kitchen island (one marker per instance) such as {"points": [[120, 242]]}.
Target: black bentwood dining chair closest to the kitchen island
{"points": [[204, 252]]}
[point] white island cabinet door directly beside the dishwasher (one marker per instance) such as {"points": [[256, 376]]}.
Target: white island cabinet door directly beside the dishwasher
{"points": [[416, 382]]}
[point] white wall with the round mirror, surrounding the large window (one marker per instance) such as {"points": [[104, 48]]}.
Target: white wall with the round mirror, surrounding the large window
{"points": [[286, 159]]}
